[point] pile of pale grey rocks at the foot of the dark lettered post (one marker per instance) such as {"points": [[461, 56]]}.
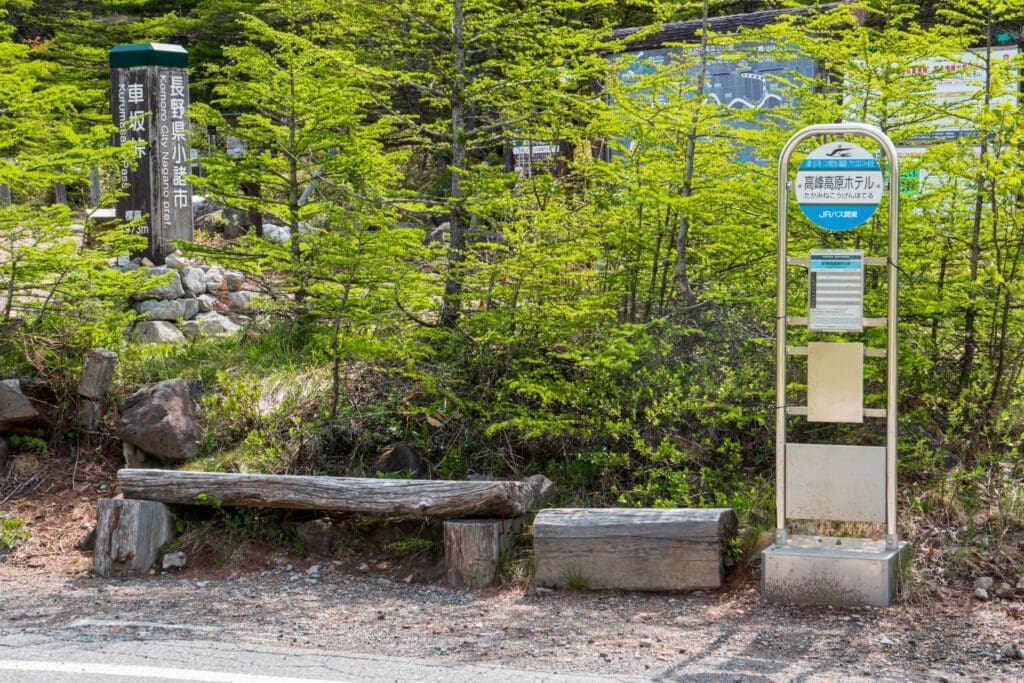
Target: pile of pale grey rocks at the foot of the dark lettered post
{"points": [[198, 301]]}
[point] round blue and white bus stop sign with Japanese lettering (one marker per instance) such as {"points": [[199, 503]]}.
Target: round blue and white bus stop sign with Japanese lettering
{"points": [[839, 186]]}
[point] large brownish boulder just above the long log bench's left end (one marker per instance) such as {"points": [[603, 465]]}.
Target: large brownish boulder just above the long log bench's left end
{"points": [[163, 420]]}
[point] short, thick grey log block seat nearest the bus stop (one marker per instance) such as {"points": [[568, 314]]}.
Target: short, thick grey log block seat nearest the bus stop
{"points": [[634, 549]]}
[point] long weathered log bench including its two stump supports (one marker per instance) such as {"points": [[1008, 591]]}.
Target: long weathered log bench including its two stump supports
{"points": [[479, 517]]}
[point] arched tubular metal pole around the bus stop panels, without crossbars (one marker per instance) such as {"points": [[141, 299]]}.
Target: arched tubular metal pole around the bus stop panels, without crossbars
{"points": [[874, 133]]}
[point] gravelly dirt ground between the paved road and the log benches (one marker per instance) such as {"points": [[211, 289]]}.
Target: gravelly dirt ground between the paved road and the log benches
{"points": [[396, 604]]}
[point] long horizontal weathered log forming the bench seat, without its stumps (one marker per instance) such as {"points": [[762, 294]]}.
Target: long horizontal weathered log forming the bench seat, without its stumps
{"points": [[380, 497]]}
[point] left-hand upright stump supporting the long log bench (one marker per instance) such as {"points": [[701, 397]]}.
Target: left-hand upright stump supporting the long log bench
{"points": [[129, 536]]}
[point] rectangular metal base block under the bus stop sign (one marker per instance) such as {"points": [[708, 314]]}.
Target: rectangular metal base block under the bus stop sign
{"points": [[828, 571]]}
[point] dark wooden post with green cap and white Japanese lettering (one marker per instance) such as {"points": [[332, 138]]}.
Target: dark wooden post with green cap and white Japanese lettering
{"points": [[150, 105]]}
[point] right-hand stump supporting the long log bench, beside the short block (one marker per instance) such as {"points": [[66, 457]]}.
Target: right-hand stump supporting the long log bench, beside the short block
{"points": [[474, 549]]}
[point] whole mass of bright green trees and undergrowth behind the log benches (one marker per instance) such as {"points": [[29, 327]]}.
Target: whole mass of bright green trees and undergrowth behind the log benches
{"points": [[610, 325]]}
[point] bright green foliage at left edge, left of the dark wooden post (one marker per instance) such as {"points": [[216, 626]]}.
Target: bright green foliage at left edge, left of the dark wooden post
{"points": [[59, 296]]}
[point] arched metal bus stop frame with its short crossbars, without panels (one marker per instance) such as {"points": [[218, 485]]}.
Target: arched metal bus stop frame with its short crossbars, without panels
{"points": [[890, 262]]}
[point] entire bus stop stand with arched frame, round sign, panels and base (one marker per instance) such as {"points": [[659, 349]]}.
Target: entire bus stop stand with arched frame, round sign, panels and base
{"points": [[839, 187]]}
